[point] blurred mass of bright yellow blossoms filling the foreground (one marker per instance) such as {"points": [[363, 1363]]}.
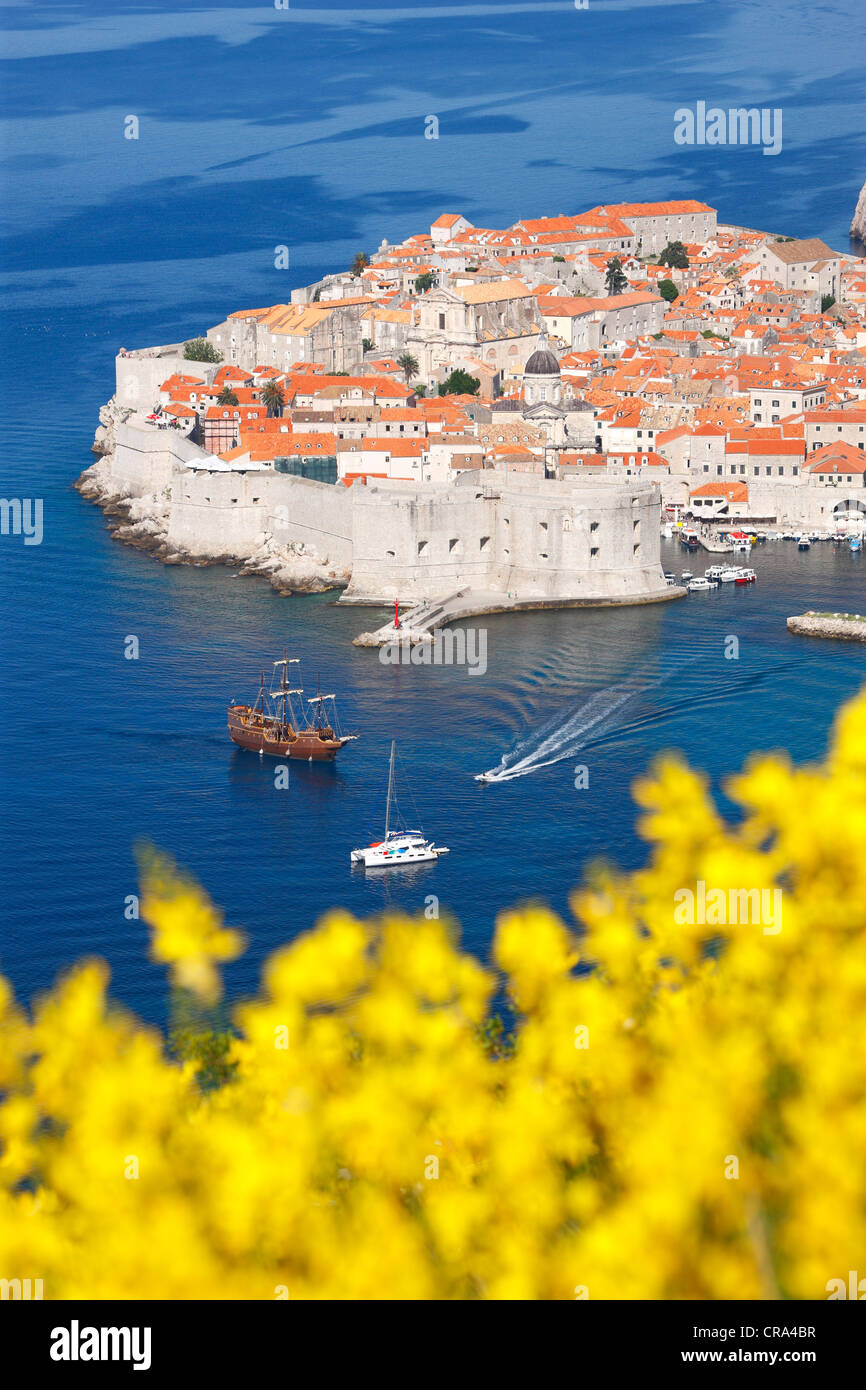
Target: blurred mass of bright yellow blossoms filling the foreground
{"points": [[682, 1111]]}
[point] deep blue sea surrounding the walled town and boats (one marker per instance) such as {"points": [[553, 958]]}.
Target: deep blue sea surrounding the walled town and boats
{"points": [[258, 129]]}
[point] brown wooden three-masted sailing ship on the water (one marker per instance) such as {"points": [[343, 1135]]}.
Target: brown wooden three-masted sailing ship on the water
{"points": [[284, 725]]}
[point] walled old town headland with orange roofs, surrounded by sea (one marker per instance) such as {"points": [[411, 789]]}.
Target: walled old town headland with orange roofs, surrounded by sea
{"points": [[465, 432]]}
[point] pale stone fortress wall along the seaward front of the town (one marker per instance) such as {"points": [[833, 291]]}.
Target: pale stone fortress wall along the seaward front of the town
{"points": [[515, 534]]}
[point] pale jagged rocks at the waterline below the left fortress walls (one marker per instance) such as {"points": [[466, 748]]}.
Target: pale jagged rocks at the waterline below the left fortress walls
{"points": [[144, 523]]}
